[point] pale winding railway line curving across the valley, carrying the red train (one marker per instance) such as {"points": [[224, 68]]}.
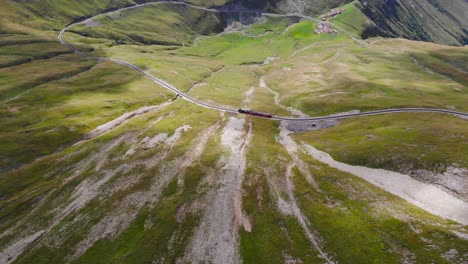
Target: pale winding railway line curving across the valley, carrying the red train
{"points": [[229, 110]]}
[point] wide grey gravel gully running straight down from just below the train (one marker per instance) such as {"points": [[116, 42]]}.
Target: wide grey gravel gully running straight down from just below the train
{"points": [[216, 238]]}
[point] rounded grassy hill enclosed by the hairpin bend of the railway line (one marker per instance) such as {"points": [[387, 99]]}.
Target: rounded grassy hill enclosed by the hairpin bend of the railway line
{"points": [[166, 25]]}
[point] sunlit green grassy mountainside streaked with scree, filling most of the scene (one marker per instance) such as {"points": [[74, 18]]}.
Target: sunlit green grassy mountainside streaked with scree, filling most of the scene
{"points": [[98, 164]]}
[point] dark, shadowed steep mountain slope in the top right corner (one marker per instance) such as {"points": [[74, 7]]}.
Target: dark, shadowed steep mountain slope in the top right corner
{"points": [[440, 21]]}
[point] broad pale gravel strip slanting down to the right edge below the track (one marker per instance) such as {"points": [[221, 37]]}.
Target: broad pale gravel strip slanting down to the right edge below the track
{"points": [[426, 196]]}
